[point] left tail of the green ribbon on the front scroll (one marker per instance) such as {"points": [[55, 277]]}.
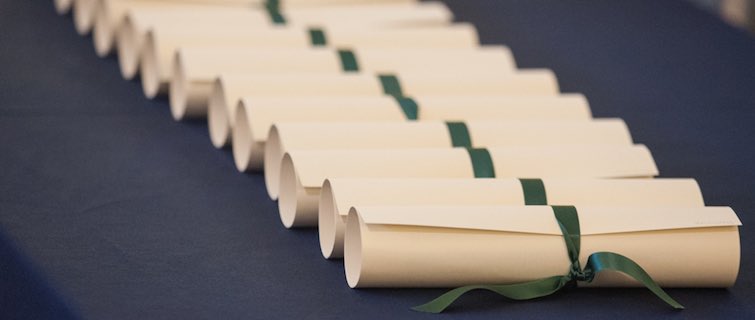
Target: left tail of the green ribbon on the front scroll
{"points": [[520, 291]]}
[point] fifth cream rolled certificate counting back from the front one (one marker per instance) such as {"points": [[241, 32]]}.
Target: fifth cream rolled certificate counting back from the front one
{"points": [[255, 117]]}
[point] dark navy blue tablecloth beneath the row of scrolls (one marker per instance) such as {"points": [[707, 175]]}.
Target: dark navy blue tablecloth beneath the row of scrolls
{"points": [[109, 209]]}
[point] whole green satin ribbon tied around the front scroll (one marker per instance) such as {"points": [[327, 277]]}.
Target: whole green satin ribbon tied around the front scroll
{"points": [[568, 221]]}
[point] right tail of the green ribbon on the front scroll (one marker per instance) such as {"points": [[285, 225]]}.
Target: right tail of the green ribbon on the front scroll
{"points": [[600, 261]]}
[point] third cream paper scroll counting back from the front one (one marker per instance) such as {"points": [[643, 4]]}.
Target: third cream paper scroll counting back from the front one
{"points": [[303, 172]]}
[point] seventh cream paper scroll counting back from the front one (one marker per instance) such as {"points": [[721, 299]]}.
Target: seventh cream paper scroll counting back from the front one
{"points": [[196, 69]]}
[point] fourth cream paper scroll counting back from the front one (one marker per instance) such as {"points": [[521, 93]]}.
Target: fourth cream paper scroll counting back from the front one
{"points": [[285, 136]]}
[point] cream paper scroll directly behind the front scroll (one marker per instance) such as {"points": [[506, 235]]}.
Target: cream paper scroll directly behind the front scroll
{"points": [[340, 194]]}
